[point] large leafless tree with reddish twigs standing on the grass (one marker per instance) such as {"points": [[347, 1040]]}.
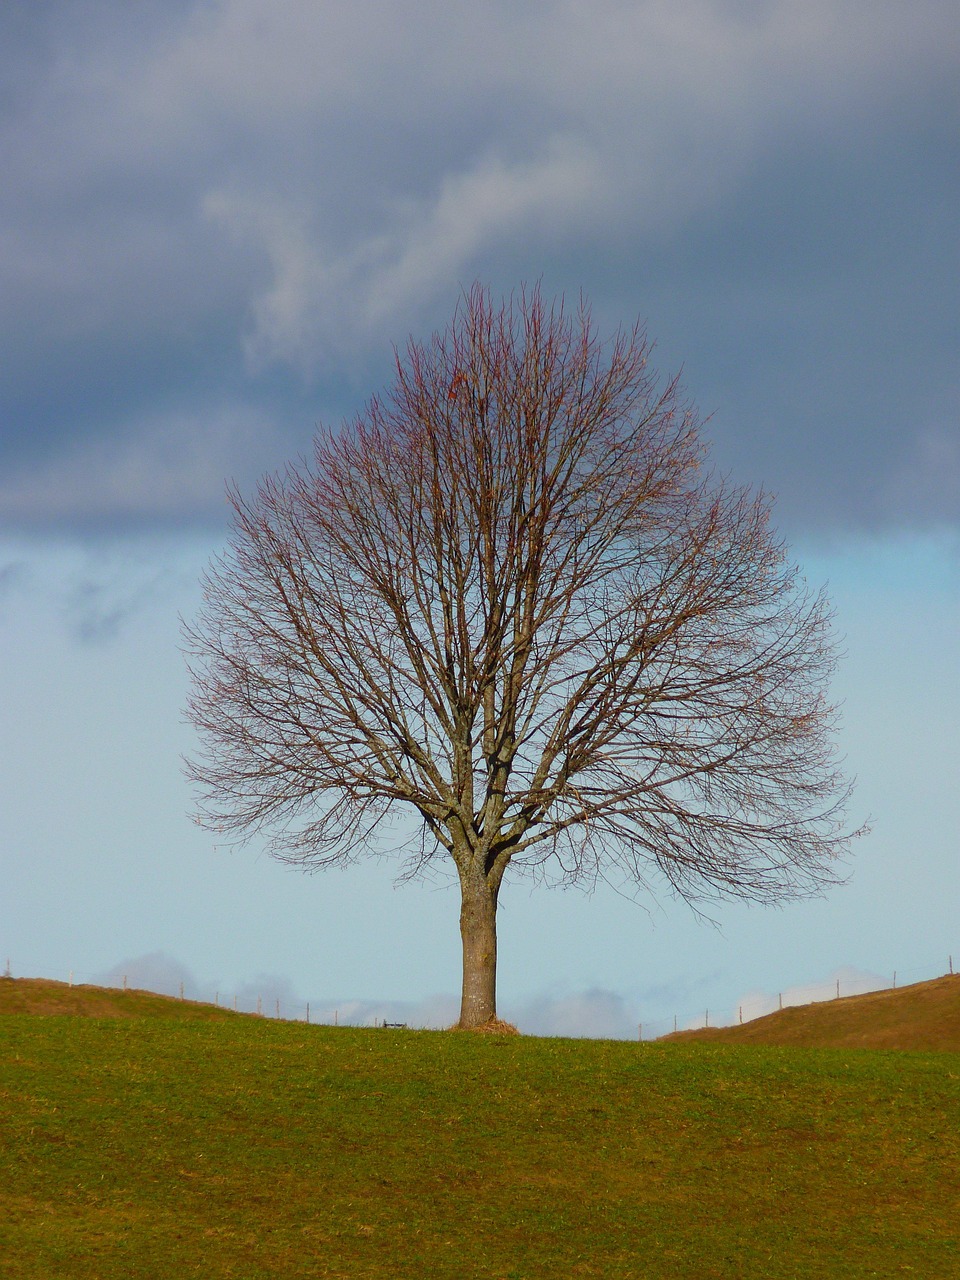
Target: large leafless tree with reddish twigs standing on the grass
{"points": [[513, 600]]}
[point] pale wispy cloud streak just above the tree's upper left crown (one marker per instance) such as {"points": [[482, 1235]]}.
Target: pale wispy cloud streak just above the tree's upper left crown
{"points": [[319, 300]]}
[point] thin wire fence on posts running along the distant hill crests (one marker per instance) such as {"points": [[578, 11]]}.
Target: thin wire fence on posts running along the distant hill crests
{"points": [[268, 1000]]}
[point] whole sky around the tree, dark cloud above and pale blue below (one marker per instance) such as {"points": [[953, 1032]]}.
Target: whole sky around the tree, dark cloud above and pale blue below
{"points": [[218, 218]]}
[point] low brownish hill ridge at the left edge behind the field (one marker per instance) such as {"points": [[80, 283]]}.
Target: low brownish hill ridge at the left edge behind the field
{"points": [[45, 998]]}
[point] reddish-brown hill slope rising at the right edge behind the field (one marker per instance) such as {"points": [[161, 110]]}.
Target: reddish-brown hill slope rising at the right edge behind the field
{"points": [[925, 1016]]}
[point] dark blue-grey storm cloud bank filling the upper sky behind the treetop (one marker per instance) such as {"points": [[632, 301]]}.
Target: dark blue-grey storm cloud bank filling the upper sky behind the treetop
{"points": [[216, 220]]}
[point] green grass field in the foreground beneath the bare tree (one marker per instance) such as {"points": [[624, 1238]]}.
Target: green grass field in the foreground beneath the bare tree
{"points": [[234, 1146]]}
